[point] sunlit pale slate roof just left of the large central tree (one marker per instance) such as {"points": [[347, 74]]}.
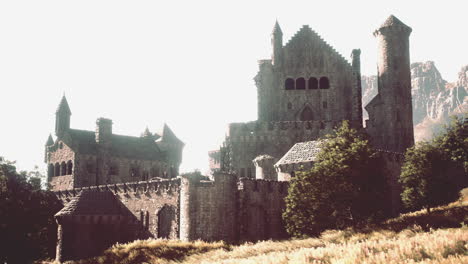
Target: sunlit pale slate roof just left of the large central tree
{"points": [[301, 152]]}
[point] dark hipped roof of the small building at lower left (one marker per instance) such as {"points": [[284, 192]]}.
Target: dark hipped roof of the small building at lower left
{"points": [[90, 202]]}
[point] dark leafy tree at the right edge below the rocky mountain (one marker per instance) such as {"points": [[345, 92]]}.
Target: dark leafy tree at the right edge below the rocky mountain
{"points": [[434, 172]]}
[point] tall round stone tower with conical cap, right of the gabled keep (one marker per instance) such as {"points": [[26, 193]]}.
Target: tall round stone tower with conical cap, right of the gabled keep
{"points": [[390, 112]]}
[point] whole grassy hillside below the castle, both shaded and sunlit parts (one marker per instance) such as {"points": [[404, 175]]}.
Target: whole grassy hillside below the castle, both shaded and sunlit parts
{"points": [[418, 237]]}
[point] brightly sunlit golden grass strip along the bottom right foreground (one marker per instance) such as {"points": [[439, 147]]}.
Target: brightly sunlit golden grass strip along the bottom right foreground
{"points": [[440, 246]]}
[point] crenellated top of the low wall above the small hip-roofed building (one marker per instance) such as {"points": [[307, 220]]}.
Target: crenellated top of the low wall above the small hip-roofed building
{"points": [[140, 187]]}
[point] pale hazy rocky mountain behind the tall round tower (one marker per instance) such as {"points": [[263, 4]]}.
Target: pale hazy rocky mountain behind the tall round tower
{"points": [[434, 99]]}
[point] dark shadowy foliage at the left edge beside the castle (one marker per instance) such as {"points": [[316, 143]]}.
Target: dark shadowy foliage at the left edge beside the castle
{"points": [[27, 226]]}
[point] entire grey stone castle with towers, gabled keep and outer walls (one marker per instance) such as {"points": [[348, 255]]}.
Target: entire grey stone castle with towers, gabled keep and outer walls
{"points": [[119, 188]]}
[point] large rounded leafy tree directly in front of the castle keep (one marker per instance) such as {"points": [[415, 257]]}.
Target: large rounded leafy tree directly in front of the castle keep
{"points": [[339, 190]]}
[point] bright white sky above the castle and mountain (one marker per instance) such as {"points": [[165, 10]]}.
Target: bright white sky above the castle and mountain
{"points": [[187, 63]]}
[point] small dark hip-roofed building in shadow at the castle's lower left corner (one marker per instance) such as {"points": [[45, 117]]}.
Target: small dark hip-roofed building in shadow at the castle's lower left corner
{"points": [[92, 222]]}
